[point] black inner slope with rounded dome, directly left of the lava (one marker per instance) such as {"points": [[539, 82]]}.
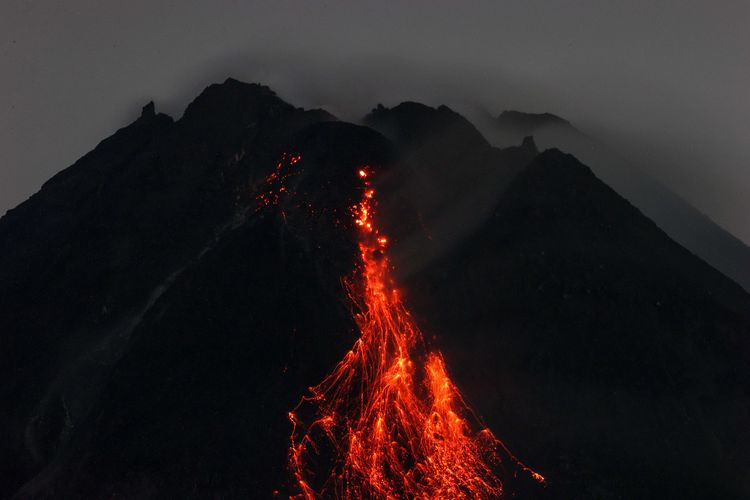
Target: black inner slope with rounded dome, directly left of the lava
{"points": [[198, 405]]}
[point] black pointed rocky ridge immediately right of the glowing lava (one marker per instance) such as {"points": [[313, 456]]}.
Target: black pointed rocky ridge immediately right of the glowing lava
{"points": [[569, 315]]}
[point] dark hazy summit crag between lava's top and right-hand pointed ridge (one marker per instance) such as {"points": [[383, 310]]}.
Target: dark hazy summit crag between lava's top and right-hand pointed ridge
{"points": [[446, 179]]}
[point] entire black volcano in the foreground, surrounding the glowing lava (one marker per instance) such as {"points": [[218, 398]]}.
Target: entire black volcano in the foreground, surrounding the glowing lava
{"points": [[156, 327]]}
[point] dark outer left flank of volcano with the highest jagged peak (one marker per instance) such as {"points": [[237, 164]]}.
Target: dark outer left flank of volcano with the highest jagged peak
{"points": [[88, 255]]}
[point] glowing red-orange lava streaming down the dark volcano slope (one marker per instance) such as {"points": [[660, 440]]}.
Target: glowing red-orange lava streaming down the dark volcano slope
{"points": [[388, 422]]}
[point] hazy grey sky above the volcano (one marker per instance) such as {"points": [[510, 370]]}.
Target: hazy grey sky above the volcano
{"points": [[667, 81]]}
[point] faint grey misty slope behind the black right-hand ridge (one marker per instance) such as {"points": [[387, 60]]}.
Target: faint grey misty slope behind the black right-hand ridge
{"points": [[680, 220]]}
